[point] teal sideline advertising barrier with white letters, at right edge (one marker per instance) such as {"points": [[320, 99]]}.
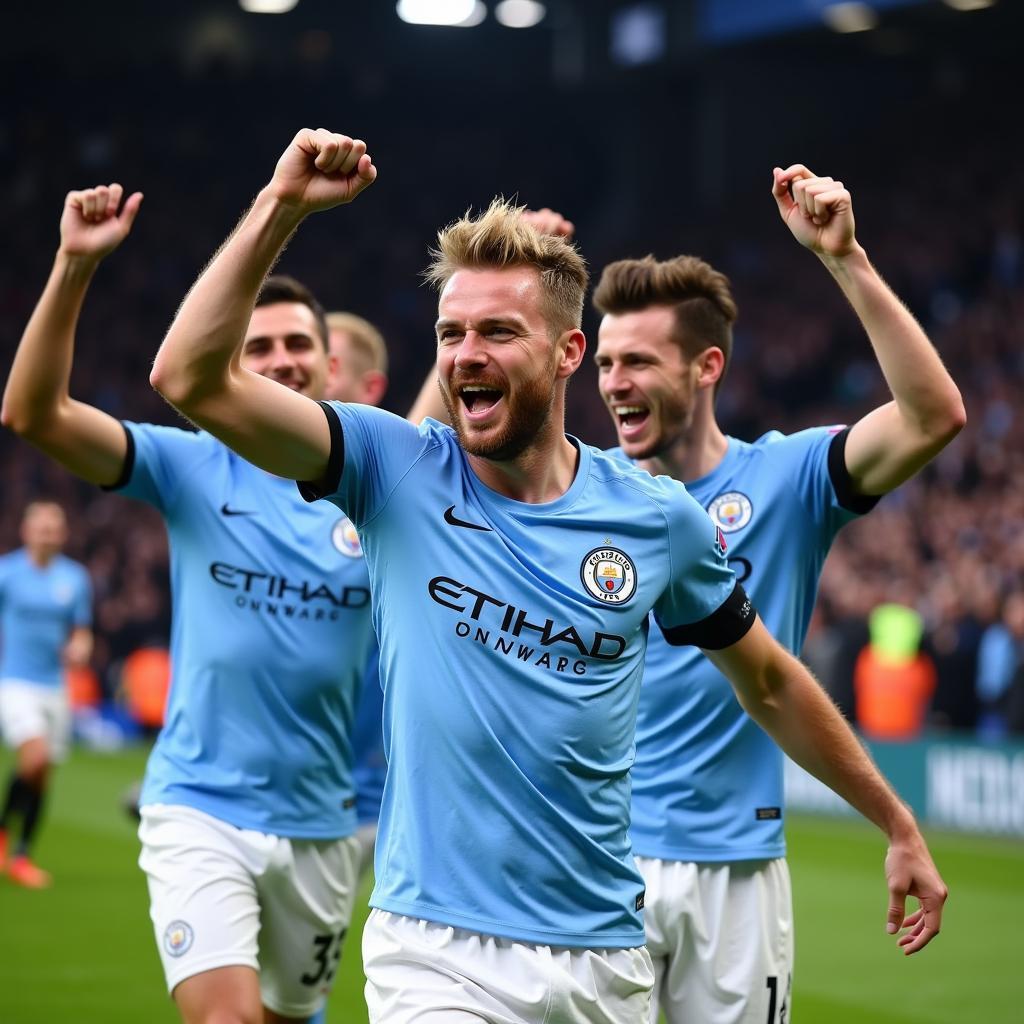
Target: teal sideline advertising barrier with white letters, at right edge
{"points": [[950, 784]]}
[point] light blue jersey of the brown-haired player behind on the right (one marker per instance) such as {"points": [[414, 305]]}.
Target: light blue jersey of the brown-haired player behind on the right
{"points": [[708, 782]]}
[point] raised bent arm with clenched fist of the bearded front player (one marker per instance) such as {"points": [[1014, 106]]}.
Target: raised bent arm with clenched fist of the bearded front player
{"points": [[199, 368]]}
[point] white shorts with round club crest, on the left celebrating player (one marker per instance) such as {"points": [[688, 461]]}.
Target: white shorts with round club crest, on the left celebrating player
{"points": [[222, 897]]}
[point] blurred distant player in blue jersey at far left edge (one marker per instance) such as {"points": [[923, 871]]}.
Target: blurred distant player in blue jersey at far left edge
{"points": [[46, 626]]}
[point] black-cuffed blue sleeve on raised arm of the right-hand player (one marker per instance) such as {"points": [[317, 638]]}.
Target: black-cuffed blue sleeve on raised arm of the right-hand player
{"points": [[815, 462]]}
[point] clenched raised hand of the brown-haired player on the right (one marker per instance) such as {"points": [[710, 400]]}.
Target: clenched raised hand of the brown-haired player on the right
{"points": [[819, 211]]}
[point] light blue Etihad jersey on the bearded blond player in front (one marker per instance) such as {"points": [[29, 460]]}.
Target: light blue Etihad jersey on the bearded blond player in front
{"points": [[513, 639]]}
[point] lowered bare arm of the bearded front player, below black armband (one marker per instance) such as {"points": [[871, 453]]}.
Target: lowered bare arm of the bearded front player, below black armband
{"points": [[779, 693]]}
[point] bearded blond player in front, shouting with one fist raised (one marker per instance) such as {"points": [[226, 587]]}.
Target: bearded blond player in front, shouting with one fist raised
{"points": [[514, 571]]}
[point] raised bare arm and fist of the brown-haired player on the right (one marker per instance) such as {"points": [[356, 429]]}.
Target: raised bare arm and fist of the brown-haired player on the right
{"points": [[893, 442]]}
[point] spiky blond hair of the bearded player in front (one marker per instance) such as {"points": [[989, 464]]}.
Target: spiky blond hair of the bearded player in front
{"points": [[500, 239]]}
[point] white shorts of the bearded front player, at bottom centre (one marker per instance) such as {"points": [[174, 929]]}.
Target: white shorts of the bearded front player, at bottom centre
{"points": [[426, 973]]}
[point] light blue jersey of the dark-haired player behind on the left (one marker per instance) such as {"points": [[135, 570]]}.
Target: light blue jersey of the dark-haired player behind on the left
{"points": [[270, 639]]}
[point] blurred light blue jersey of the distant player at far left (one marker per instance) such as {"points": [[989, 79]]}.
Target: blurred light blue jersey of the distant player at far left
{"points": [[39, 609]]}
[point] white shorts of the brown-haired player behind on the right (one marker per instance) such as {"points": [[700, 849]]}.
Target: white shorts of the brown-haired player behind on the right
{"points": [[721, 940]]}
